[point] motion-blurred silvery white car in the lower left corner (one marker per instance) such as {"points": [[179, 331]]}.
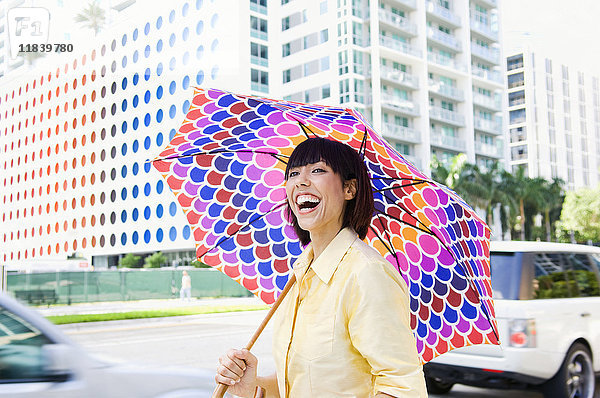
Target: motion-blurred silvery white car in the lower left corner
{"points": [[38, 360]]}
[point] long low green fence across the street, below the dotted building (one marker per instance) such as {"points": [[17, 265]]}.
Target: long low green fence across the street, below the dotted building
{"points": [[123, 285]]}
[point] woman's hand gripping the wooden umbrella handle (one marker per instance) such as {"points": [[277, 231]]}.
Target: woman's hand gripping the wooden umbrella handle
{"points": [[237, 369]]}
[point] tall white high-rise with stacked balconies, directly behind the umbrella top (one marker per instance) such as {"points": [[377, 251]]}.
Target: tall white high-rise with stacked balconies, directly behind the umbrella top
{"points": [[428, 74]]}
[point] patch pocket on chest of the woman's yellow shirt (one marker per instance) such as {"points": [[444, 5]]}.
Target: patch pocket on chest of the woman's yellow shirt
{"points": [[314, 335]]}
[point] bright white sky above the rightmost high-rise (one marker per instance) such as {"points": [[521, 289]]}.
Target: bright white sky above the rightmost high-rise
{"points": [[567, 31]]}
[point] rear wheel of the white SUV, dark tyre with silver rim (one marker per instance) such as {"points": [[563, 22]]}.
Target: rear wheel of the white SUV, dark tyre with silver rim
{"points": [[576, 378]]}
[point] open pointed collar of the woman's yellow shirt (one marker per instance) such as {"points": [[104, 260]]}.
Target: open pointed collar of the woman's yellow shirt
{"points": [[326, 264]]}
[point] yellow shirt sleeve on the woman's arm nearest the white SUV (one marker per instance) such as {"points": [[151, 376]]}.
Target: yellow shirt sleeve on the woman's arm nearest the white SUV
{"points": [[379, 329]]}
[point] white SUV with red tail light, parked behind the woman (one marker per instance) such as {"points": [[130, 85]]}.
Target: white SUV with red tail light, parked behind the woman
{"points": [[547, 301]]}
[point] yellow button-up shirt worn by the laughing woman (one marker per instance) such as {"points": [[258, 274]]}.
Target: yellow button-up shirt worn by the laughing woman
{"points": [[343, 330]]}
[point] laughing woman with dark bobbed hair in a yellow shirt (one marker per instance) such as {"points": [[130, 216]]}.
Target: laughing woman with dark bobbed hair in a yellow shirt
{"points": [[343, 329]]}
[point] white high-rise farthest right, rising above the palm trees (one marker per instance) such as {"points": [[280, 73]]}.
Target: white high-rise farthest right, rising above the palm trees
{"points": [[553, 120]]}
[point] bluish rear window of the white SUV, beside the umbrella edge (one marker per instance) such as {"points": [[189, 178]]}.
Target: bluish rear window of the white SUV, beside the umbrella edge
{"points": [[506, 271]]}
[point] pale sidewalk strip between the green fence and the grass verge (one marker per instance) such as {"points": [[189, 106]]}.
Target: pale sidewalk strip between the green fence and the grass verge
{"points": [[142, 305]]}
